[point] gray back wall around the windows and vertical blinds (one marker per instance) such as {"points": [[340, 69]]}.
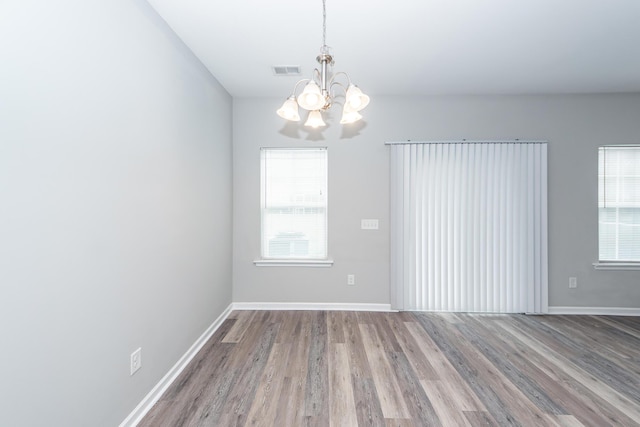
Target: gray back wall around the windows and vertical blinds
{"points": [[358, 188]]}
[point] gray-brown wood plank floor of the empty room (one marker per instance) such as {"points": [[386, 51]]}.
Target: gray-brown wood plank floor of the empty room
{"points": [[318, 368]]}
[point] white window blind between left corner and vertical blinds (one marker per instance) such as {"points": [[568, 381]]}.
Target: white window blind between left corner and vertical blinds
{"points": [[294, 203]]}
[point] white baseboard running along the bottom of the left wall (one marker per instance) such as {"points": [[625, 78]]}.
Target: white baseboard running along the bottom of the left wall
{"points": [[150, 399]]}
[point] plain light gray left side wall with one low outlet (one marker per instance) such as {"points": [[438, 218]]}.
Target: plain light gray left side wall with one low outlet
{"points": [[115, 207]]}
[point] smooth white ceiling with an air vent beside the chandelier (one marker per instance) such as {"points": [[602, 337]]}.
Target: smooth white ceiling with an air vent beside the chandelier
{"points": [[425, 47]]}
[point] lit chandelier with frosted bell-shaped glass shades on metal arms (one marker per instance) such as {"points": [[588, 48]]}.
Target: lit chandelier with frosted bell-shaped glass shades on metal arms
{"points": [[319, 92]]}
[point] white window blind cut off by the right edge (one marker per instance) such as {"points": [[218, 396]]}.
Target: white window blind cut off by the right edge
{"points": [[619, 203]]}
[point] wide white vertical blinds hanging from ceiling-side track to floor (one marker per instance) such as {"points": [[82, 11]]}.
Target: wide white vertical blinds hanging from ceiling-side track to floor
{"points": [[469, 226]]}
